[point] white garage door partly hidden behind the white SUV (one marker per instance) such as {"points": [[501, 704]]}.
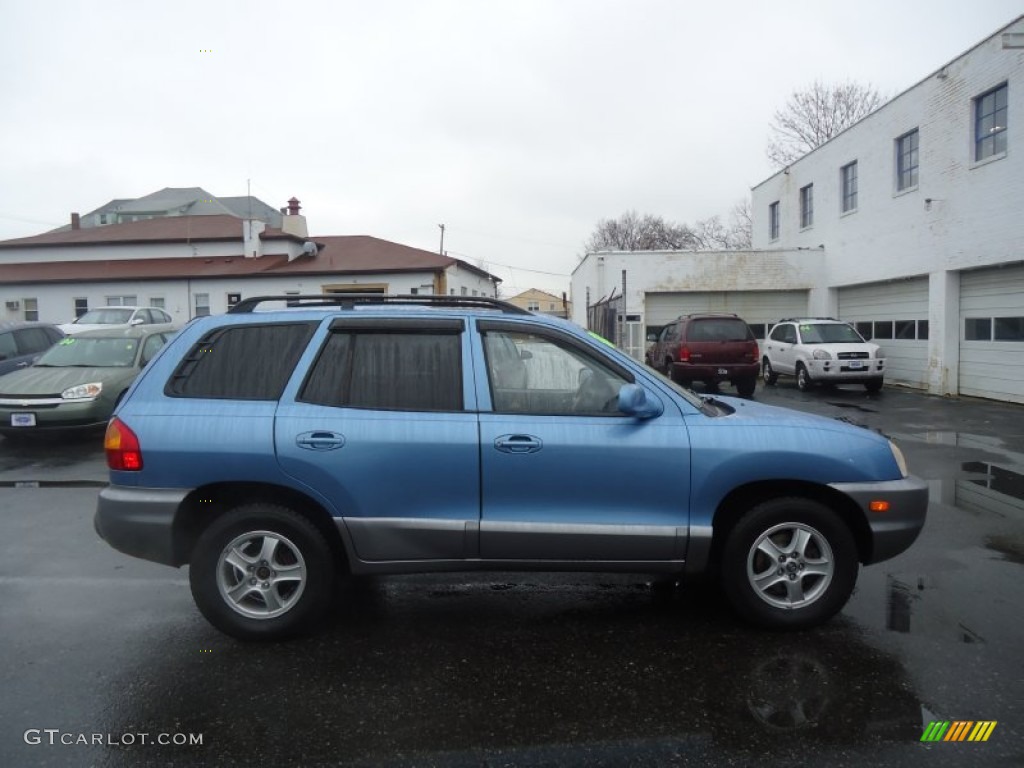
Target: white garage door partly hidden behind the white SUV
{"points": [[895, 315]]}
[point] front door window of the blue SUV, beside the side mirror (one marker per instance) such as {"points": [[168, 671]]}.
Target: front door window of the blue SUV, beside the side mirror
{"points": [[539, 375]]}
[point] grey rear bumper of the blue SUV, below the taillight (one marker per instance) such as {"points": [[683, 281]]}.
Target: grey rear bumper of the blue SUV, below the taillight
{"points": [[141, 522]]}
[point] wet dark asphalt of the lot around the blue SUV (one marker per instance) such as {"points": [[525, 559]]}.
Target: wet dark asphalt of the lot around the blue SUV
{"points": [[528, 670]]}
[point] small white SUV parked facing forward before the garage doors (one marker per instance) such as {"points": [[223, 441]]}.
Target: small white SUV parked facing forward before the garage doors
{"points": [[822, 351]]}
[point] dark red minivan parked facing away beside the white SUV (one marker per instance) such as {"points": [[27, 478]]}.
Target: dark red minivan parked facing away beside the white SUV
{"points": [[709, 349]]}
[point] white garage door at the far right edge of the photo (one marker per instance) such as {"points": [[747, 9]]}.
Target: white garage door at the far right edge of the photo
{"points": [[992, 328]]}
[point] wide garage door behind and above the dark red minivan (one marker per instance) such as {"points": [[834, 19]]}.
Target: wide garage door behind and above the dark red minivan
{"points": [[759, 309]]}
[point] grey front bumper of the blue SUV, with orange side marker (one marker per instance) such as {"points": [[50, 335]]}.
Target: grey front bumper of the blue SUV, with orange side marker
{"points": [[893, 531]]}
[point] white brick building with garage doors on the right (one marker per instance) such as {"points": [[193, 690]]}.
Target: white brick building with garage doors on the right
{"points": [[910, 225]]}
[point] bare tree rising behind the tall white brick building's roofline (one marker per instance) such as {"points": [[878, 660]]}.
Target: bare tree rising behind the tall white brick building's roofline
{"points": [[815, 115]]}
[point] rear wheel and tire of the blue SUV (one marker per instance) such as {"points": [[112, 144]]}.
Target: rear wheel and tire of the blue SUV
{"points": [[291, 573]]}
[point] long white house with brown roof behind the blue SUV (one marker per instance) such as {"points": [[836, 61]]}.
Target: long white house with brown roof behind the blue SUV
{"points": [[201, 265]]}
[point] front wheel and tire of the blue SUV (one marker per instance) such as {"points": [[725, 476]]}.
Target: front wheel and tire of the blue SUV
{"points": [[789, 564]]}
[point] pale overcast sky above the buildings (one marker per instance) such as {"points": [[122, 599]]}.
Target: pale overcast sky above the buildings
{"points": [[518, 124]]}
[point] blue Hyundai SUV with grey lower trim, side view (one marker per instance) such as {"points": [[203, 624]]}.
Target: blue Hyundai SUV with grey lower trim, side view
{"points": [[298, 440]]}
